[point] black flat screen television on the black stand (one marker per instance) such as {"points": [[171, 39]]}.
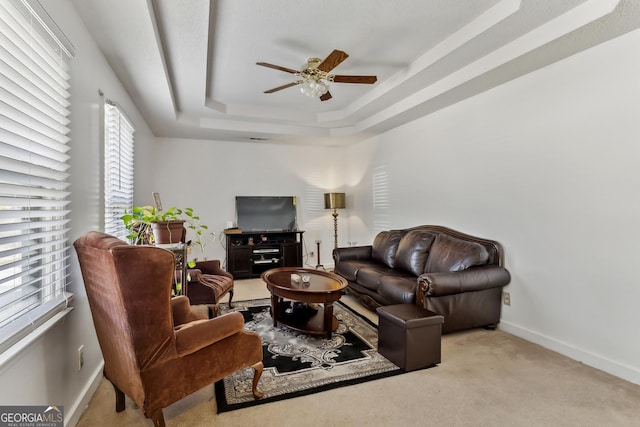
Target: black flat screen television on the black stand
{"points": [[266, 213]]}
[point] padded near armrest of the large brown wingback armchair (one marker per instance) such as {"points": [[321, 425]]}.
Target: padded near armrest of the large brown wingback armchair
{"points": [[194, 336]]}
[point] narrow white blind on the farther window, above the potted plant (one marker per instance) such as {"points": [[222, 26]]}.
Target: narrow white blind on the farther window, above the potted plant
{"points": [[118, 157]]}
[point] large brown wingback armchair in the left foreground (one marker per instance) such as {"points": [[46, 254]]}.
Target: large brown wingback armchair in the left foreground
{"points": [[155, 349]]}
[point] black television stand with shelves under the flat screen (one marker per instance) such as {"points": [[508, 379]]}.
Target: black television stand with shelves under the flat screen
{"points": [[251, 253]]}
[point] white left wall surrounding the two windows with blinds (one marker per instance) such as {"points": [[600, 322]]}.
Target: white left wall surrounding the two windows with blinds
{"points": [[46, 372]]}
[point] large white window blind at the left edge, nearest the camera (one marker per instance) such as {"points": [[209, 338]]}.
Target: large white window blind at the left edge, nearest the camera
{"points": [[34, 111]]}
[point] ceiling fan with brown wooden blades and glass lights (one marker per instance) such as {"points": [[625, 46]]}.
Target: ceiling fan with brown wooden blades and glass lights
{"points": [[315, 75]]}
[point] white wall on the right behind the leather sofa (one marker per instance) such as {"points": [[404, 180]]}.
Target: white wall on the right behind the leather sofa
{"points": [[547, 165]]}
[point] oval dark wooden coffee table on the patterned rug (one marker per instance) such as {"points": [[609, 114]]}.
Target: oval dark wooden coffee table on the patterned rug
{"points": [[308, 317]]}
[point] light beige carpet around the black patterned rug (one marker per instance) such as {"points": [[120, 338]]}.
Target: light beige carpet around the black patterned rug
{"points": [[486, 378]]}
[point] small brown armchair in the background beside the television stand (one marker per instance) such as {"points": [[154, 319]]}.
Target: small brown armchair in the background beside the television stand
{"points": [[208, 283]]}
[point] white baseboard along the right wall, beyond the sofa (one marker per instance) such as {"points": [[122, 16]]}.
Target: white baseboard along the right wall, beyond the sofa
{"points": [[620, 370]]}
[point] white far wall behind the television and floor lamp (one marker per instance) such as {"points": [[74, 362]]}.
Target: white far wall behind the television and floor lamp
{"points": [[211, 173]]}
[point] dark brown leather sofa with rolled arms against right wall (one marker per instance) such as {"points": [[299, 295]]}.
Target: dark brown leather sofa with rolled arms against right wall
{"points": [[454, 274]]}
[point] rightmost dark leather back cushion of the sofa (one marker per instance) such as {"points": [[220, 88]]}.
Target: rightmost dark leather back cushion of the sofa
{"points": [[452, 254]]}
